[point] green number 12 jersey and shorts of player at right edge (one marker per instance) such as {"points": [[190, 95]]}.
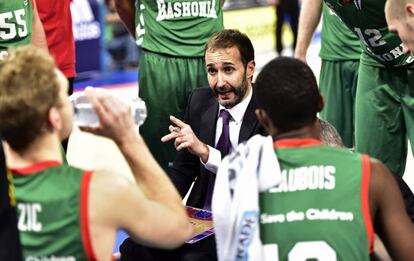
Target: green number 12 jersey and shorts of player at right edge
{"points": [[384, 115]]}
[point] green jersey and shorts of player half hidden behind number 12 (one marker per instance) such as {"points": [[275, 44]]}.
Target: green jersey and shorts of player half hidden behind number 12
{"points": [[340, 53]]}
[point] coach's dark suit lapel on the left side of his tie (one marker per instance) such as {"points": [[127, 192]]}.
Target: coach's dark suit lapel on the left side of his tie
{"points": [[208, 123]]}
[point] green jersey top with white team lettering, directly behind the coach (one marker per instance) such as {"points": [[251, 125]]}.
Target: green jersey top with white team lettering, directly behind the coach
{"points": [[177, 27]]}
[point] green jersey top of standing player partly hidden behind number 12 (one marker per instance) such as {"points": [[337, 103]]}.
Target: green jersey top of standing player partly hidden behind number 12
{"points": [[338, 42]]}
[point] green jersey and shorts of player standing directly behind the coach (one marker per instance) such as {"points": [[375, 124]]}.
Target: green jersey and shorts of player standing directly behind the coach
{"points": [[172, 35]]}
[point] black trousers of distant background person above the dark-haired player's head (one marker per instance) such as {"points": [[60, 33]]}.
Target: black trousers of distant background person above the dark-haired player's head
{"points": [[291, 8]]}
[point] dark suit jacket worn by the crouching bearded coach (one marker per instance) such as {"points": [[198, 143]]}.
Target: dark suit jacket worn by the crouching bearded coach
{"points": [[201, 114]]}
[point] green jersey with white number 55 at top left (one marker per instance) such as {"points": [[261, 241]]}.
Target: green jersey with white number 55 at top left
{"points": [[16, 23]]}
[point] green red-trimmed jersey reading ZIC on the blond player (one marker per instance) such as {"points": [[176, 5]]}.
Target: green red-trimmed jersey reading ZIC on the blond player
{"points": [[52, 212]]}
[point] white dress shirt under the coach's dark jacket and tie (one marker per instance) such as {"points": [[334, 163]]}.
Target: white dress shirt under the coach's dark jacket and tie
{"points": [[237, 115]]}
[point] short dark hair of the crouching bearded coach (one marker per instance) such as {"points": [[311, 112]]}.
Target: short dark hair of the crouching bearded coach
{"points": [[228, 38]]}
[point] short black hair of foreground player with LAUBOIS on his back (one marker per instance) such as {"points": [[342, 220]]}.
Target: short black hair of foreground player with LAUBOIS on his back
{"points": [[287, 91]]}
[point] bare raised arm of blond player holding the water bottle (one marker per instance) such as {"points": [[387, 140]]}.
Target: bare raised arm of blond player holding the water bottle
{"points": [[151, 210]]}
